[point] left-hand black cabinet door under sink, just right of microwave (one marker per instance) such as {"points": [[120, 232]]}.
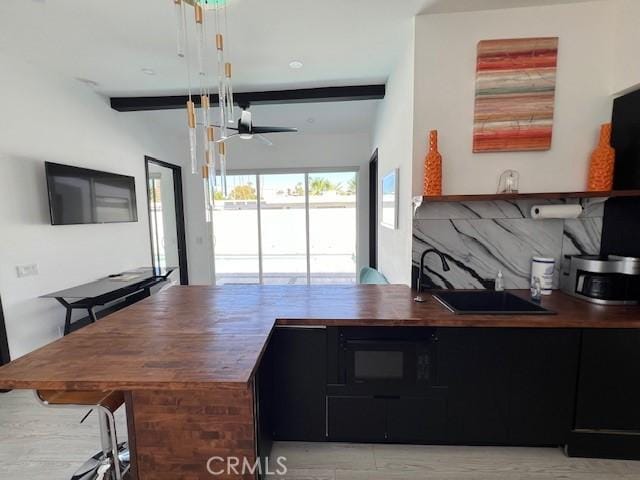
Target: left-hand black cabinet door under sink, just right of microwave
{"points": [[474, 365]]}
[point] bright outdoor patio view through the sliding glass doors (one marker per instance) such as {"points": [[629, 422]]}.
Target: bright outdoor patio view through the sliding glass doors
{"points": [[302, 230]]}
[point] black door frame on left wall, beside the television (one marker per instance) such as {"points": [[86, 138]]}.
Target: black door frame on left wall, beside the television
{"points": [[179, 201]]}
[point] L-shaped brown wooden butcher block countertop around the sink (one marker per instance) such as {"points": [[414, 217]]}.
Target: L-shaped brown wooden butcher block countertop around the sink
{"points": [[193, 338]]}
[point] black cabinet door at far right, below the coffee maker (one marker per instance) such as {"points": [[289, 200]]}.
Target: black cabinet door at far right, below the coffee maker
{"points": [[609, 383]]}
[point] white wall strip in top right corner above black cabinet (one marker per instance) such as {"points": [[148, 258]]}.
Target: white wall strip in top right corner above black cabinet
{"points": [[626, 41]]}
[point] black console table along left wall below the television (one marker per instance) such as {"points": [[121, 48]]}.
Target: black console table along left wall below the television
{"points": [[131, 286]]}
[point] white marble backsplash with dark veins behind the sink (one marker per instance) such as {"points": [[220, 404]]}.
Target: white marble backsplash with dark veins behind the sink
{"points": [[479, 238]]}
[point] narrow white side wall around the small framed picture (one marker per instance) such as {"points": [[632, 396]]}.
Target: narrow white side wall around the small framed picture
{"points": [[393, 136]]}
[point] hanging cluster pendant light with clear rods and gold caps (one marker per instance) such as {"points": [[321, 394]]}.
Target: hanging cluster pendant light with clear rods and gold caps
{"points": [[202, 119]]}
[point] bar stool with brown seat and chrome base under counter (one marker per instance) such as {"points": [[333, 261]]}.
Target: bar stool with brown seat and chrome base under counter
{"points": [[113, 462]]}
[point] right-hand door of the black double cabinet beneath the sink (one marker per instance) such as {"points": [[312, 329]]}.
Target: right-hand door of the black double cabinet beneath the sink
{"points": [[542, 383]]}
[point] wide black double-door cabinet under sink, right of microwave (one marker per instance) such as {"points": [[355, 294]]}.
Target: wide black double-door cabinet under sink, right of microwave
{"points": [[509, 386]]}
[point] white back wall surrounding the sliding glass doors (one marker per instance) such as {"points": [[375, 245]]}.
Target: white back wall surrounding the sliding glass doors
{"points": [[290, 151]]}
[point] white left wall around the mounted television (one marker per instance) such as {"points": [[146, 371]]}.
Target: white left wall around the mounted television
{"points": [[48, 118]]}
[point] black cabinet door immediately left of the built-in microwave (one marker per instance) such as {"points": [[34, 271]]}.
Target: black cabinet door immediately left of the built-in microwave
{"points": [[299, 384]]}
